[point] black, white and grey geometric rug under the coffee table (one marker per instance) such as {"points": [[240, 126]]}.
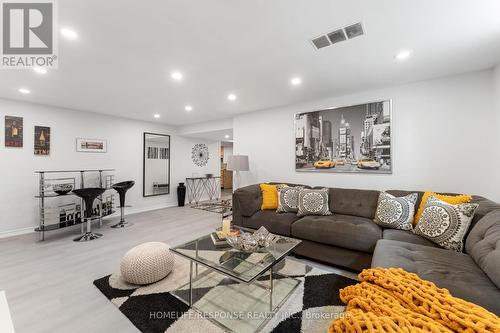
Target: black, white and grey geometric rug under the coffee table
{"points": [[311, 307]]}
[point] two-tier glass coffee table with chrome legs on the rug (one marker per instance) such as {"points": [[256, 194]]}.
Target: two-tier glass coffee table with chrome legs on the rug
{"points": [[236, 290]]}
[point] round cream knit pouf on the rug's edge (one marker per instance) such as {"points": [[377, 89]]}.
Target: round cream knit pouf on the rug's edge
{"points": [[147, 263]]}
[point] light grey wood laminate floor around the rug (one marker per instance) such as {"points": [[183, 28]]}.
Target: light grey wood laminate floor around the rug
{"points": [[49, 284]]}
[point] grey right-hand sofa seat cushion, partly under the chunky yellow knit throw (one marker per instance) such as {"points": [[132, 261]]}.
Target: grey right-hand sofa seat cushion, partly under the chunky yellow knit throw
{"points": [[447, 269]]}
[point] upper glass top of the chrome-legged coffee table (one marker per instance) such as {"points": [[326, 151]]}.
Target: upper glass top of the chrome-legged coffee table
{"points": [[242, 266]]}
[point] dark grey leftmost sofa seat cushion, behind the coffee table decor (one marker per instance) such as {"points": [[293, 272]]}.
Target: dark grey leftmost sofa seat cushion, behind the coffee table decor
{"points": [[277, 223]]}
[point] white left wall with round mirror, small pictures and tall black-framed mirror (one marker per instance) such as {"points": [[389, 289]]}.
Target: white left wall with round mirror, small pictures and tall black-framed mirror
{"points": [[18, 208]]}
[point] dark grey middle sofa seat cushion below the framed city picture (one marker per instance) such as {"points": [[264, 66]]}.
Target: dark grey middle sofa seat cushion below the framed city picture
{"points": [[350, 232]]}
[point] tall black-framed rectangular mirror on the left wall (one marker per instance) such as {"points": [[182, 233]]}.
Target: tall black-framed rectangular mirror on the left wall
{"points": [[156, 164]]}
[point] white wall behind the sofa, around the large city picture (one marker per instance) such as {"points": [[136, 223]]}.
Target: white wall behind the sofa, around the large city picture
{"points": [[444, 138]]}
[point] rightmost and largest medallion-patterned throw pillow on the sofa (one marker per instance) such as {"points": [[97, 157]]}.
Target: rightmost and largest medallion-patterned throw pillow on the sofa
{"points": [[445, 224]]}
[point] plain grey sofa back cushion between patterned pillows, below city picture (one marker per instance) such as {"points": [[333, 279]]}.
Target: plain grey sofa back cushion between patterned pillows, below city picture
{"points": [[354, 202]]}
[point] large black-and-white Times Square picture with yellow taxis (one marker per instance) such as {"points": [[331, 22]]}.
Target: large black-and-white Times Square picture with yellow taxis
{"points": [[350, 139]]}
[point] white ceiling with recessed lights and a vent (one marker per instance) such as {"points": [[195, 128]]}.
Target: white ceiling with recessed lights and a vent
{"points": [[126, 50]]}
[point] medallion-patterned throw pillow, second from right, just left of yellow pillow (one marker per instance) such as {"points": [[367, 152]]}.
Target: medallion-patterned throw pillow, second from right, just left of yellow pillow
{"points": [[396, 213]]}
